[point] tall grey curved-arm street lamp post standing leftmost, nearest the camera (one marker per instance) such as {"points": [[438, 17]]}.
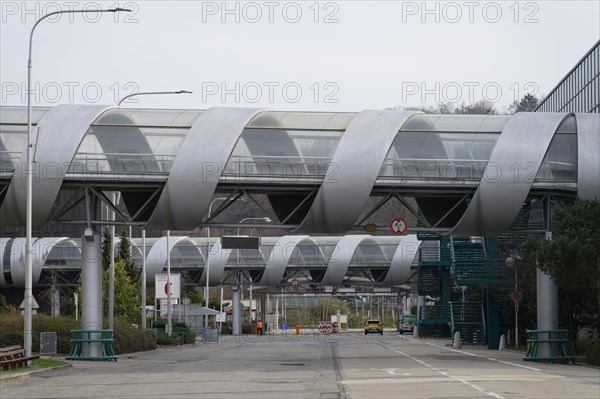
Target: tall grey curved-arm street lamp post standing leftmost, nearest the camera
{"points": [[29, 186]]}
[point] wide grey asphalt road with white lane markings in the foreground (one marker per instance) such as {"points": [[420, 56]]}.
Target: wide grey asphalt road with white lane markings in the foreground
{"points": [[346, 365]]}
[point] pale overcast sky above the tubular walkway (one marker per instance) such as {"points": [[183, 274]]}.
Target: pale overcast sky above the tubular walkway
{"points": [[304, 55]]}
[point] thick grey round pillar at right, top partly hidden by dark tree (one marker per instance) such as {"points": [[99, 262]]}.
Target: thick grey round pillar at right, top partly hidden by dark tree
{"points": [[547, 308]]}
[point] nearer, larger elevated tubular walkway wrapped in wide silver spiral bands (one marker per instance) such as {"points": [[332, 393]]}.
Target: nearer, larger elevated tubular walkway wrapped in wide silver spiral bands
{"points": [[320, 173]]}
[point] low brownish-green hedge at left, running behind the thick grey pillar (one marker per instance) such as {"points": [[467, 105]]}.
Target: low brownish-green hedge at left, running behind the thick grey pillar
{"points": [[127, 338]]}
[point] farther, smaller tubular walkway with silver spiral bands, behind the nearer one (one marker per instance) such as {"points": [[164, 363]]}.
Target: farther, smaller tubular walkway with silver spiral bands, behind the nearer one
{"points": [[336, 261]]}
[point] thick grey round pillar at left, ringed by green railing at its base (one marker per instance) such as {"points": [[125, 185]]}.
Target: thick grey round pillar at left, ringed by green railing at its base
{"points": [[91, 287]]}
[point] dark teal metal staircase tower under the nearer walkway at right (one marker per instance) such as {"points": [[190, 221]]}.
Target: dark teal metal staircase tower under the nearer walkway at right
{"points": [[445, 262]]}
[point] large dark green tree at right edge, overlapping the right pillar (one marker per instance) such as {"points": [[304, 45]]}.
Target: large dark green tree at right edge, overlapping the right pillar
{"points": [[572, 257]]}
